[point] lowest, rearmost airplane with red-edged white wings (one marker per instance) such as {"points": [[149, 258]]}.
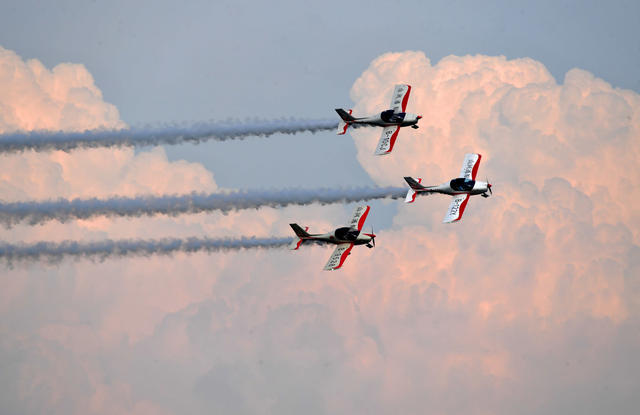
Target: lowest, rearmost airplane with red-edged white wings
{"points": [[345, 237]]}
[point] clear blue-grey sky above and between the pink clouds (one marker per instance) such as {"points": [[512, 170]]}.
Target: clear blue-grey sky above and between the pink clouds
{"points": [[199, 60]]}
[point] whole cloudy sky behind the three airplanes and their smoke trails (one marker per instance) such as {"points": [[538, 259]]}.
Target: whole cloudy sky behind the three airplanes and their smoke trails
{"points": [[529, 305]]}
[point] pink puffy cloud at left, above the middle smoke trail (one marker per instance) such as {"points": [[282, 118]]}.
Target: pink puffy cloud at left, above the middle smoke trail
{"points": [[33, 97]]}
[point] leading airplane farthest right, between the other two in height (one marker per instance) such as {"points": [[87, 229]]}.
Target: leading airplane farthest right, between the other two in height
{"points": [[460, 188]]}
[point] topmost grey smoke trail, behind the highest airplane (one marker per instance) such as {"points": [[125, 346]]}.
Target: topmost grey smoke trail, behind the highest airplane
{"points": [[173, 134]]}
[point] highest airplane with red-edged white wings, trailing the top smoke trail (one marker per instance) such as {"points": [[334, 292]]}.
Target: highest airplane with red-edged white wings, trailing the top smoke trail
{"points": [[391, 120]]}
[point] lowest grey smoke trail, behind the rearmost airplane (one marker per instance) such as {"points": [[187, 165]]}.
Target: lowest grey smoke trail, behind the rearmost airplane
{"points": [[53, 252]]}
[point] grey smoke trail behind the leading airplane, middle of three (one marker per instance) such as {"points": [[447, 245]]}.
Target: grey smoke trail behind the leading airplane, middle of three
{"points": [[63, 210]]}
